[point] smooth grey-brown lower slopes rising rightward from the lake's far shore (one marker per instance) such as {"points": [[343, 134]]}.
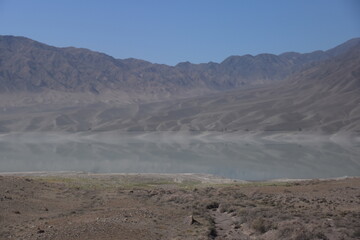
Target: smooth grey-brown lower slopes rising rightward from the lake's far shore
{"points": [[322, 98]]}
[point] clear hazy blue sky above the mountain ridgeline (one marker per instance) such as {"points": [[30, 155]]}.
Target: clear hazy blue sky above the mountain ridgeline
{"points": [[169, 31]]}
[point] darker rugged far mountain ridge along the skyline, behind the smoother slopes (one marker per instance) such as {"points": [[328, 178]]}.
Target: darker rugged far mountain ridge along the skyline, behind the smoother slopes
{"points": [[27, 66]]}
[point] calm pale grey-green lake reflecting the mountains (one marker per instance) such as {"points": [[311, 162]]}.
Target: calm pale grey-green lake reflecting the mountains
{"points": [[246, 157]]}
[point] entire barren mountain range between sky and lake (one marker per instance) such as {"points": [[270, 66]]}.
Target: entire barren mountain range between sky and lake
{"points": [[44, 88]]}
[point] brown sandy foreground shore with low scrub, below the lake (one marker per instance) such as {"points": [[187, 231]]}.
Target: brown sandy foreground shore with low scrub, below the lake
{"points": [[82, 206]]}
